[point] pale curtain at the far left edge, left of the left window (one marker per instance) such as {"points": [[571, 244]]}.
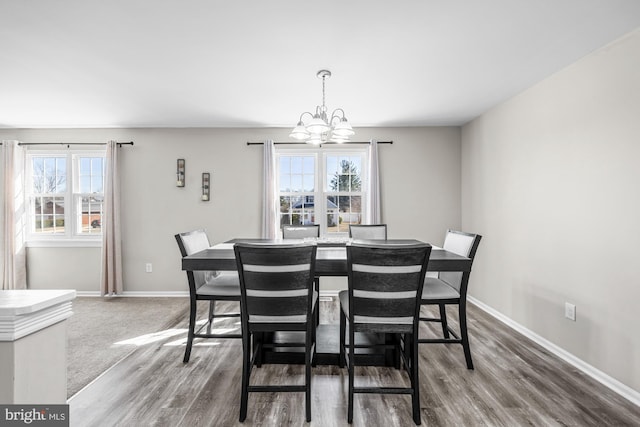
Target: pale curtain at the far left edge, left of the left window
{"points": [[14, 272]]}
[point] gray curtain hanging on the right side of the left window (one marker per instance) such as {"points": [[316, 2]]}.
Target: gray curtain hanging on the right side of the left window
{"points": [[111, 281]]}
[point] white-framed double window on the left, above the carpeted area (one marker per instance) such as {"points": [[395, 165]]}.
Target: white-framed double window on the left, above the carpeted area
{"points": [[65, 195]]}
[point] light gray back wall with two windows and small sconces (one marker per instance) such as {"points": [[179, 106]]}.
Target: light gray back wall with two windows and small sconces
{"points": [[420, 179]]}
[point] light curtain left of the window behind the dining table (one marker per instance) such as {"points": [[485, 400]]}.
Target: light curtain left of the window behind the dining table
{"points": [[270, 211]]}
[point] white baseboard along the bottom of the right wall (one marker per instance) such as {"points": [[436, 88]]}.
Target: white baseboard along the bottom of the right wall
{"points": [[608, 381]]}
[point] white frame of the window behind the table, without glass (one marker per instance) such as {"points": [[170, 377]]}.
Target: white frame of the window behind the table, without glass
{"points": [[321, 190]]}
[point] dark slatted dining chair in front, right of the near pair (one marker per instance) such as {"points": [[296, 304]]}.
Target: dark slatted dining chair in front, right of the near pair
{"points": [[384, 286]]}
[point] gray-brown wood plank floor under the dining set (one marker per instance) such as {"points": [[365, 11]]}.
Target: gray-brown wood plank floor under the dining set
{"points": [[515, 383]]}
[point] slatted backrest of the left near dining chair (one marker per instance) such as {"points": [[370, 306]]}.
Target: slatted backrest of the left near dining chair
{"points": [[276, 282]]}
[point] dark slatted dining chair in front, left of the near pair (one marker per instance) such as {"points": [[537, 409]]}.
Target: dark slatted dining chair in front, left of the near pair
{"points": [[277, 294]]}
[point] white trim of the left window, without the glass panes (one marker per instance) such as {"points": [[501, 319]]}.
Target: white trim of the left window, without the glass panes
{"points": [[70, 238]]}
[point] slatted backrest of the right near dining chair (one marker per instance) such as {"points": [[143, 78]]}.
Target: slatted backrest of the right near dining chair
{"points": [[385, 282]]}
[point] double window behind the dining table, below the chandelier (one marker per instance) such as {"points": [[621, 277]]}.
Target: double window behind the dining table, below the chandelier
{"points": [[333, 177]]}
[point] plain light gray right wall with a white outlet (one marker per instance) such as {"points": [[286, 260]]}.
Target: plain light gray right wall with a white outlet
{"points": [[551, 178]]}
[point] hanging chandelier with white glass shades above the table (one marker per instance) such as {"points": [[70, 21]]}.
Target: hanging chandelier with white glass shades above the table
{"points": [[319, 128]]}
